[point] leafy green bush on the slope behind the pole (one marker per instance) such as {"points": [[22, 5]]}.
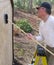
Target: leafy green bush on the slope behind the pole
{"points": [[24, 25]]}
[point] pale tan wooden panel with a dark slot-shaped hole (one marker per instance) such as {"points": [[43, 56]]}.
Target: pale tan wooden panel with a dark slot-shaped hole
{"points": [[5, 33]]}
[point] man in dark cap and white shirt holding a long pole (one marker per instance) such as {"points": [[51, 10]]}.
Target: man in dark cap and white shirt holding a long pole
{"points": [[46, 29]]}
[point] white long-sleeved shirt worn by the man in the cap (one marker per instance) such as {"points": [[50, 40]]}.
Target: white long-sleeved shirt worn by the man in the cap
{"points": [[46, 31]]}
